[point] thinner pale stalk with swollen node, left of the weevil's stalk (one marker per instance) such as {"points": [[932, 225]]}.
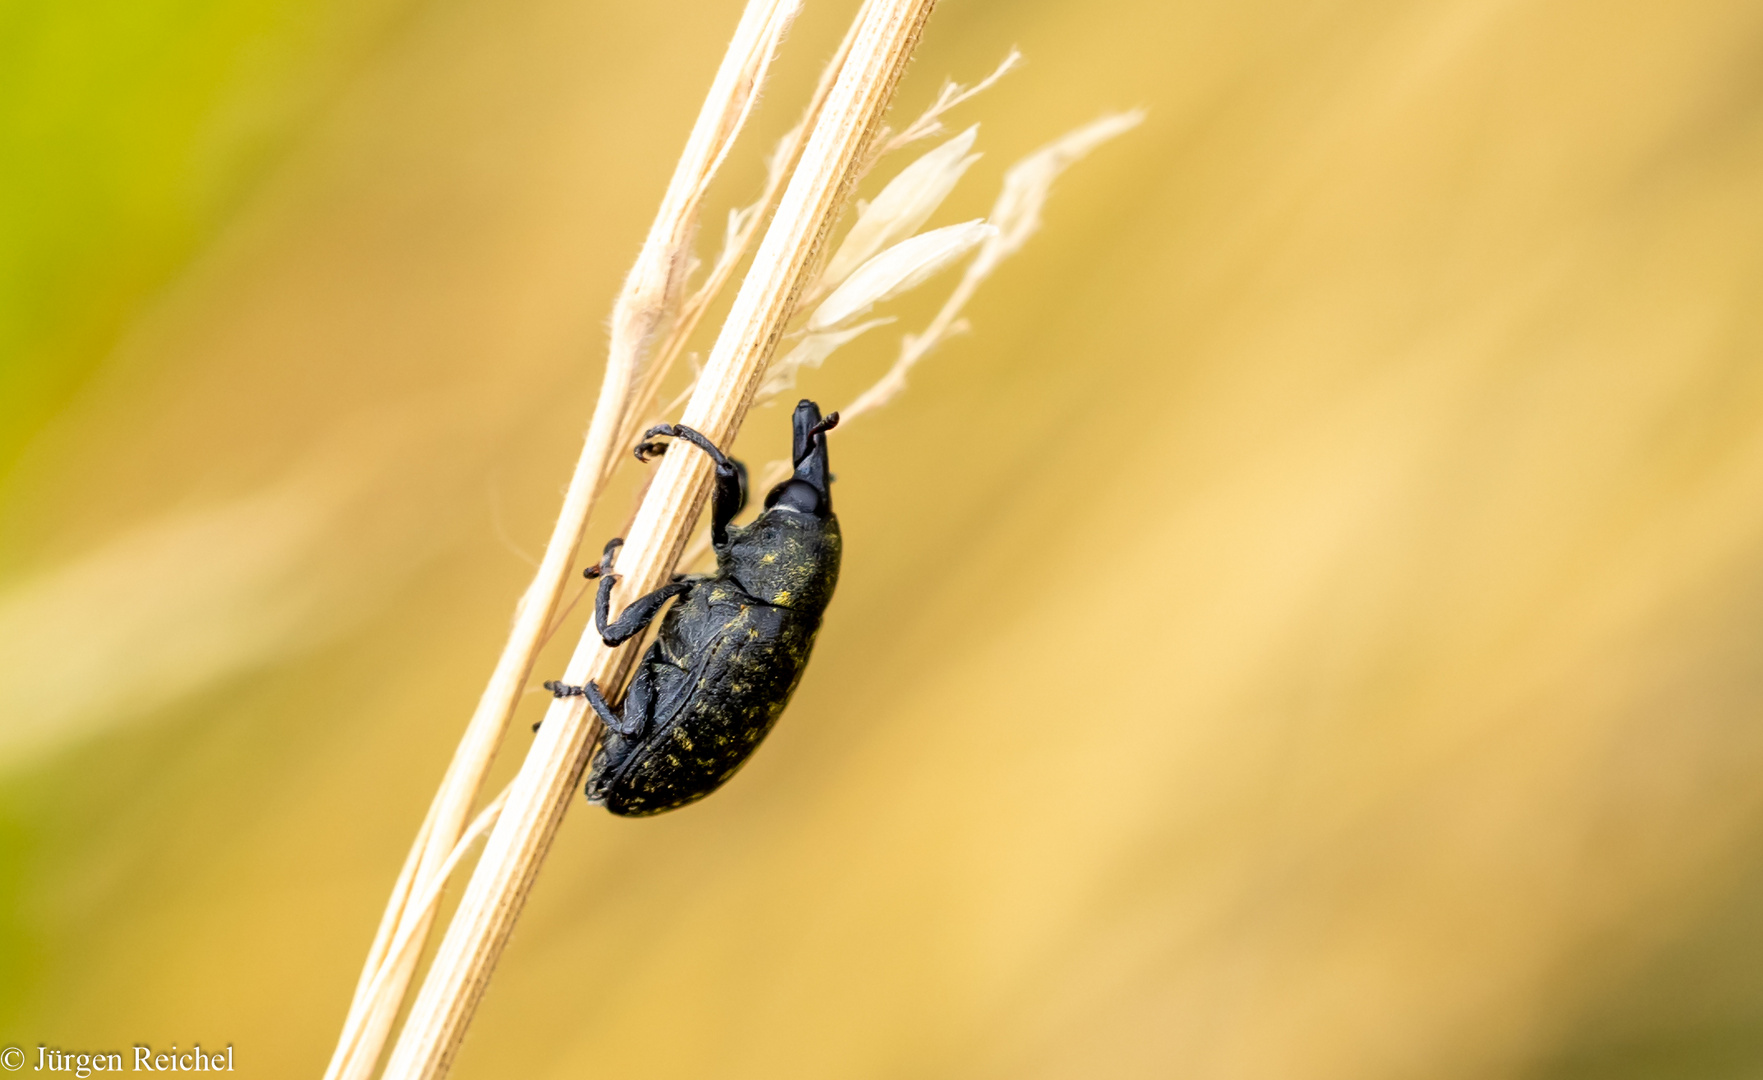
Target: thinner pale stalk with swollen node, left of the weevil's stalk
{"points": [[644, 311]]}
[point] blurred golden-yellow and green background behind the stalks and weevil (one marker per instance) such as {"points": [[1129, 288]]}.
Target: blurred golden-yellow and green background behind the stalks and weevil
{"points": [[1313, 628]]}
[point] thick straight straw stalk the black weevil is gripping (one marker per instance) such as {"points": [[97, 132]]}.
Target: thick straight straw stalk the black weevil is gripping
{"points": [[547, 783]]}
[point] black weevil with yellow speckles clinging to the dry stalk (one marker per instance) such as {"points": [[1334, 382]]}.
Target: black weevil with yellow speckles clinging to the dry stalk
{"points": [[731, 653]]}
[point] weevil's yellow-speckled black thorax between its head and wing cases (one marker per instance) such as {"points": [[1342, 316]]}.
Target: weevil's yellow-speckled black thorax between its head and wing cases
{"points": [[785, 558]]}
